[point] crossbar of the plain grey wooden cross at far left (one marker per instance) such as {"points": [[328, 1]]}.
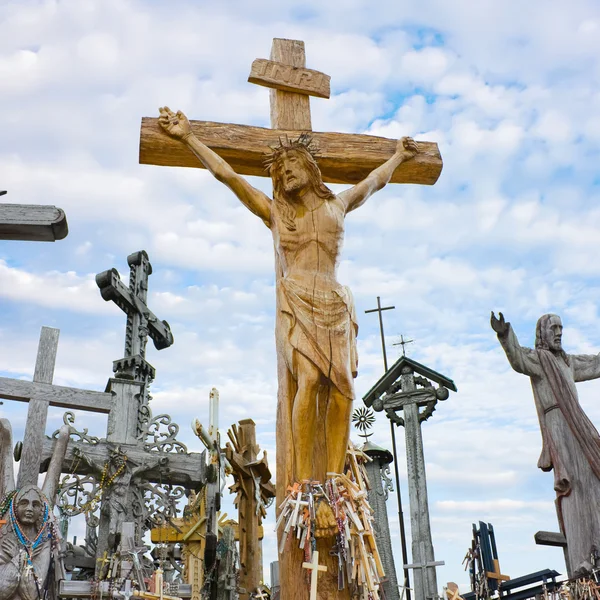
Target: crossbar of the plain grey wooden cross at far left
{"points": [[56, 395]]}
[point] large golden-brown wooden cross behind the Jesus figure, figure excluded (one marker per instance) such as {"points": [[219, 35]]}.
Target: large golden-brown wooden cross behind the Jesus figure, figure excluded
{"points": [[343, 158]]}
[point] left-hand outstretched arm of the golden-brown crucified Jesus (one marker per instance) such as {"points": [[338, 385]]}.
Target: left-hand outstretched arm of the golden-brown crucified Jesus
{"points": [[178, 126]]}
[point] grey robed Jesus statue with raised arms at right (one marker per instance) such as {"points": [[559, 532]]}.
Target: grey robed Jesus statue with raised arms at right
{"points": [[570, 442]]}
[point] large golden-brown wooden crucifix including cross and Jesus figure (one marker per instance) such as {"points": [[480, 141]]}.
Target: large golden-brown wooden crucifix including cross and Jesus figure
{"points": [[316, 322]]}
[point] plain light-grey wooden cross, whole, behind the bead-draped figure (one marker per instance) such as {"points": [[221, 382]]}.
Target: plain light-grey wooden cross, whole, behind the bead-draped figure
{"points": [[40, 394]]}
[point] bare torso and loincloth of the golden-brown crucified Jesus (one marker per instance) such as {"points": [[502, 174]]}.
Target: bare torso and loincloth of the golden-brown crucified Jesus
{"points": [[320, 320]]}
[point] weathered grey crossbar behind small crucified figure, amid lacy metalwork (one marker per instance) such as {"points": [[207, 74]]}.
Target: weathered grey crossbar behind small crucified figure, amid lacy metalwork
{"points": [[183, 469]]}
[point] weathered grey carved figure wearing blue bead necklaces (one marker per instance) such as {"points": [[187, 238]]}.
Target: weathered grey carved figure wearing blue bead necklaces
{"points": [[29, 541]]}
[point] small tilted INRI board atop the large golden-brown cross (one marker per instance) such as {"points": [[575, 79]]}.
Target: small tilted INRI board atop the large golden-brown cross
{"points": [[279, 76]]}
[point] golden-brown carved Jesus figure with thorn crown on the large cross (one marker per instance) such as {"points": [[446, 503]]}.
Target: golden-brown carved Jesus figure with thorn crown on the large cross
{"points": [[316, 323]]}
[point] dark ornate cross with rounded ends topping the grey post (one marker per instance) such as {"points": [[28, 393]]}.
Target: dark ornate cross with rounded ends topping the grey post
{"points": [[141, 321]]}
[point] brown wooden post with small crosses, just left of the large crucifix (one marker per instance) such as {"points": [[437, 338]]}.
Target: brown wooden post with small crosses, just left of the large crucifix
{"points": [[253, 488]]}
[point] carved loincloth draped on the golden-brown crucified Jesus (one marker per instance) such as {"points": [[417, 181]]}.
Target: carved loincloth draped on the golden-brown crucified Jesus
{"points": [[322, 327]]}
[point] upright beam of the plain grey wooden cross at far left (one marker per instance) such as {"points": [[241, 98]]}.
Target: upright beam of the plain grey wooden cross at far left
{"points": [[37, 411]]}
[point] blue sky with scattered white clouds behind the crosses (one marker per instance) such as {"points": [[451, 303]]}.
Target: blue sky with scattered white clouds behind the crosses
{"points": [[508, 90]]}
